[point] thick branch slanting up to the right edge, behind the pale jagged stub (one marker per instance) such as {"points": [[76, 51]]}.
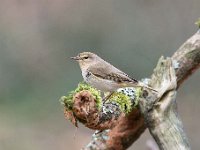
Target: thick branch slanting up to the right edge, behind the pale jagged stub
{"points": [[187, 58]]}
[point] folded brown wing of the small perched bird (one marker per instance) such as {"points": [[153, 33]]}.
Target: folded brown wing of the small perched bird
{"points": [[111, 74]]}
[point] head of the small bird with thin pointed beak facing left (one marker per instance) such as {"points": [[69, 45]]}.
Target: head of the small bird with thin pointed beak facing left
{"points": [[85, 59]]}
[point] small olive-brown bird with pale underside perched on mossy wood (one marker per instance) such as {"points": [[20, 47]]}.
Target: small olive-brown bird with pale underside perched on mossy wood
{"points": [[103, 76]]}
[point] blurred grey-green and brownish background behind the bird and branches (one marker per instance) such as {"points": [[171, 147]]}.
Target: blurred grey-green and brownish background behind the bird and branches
{"points": [[37, 37]]}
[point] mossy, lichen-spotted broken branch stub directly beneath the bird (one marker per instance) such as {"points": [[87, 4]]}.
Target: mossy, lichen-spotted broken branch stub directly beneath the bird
{"points": [[85, 105]]}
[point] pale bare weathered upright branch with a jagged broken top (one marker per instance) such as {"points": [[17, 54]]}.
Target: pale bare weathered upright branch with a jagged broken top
{"points": [[161, 116]]}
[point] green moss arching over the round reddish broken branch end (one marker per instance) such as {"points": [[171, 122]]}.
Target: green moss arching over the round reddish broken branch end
{"points": [[68, 100]]}
